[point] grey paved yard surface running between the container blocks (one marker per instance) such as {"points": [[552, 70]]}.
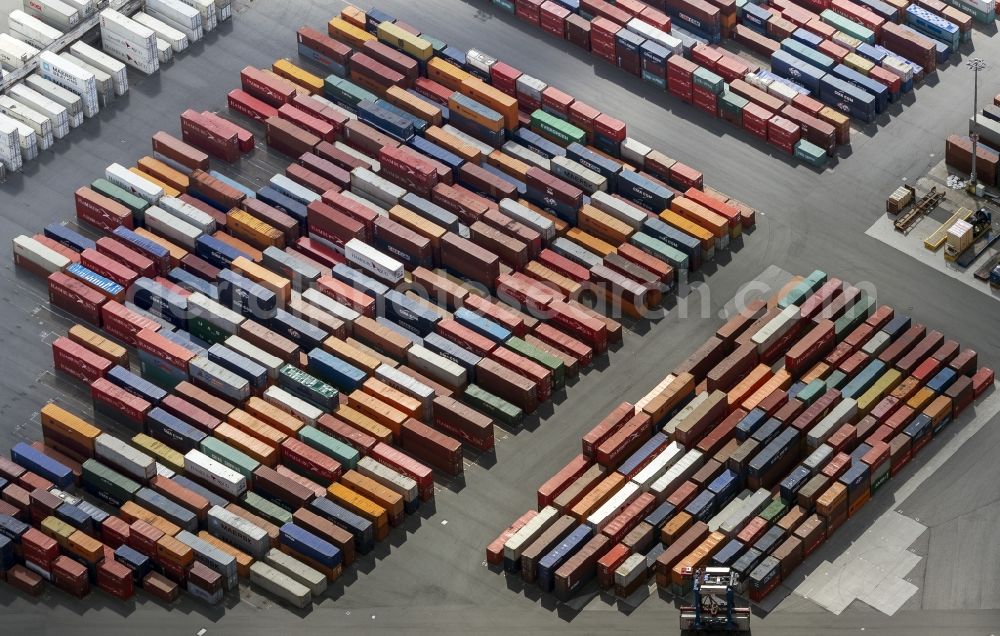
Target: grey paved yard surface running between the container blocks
{"points": [[942, 512]]}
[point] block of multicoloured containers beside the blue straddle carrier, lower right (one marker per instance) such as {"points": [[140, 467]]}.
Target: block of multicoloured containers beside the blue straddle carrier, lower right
{"points": [[751, 452]]}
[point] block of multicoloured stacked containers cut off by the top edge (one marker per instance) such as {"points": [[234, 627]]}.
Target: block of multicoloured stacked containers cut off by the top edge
{"points": [[829, 63]]}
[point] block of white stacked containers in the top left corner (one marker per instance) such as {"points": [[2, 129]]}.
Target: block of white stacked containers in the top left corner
{"points": [[74, 85]]}
